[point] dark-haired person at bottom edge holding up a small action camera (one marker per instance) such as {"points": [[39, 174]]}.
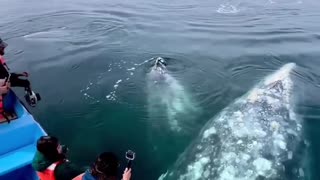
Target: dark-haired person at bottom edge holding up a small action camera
{"points": [[105, 167]]}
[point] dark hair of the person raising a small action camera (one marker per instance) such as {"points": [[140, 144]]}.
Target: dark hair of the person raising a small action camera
{"points": [[106, 166]]}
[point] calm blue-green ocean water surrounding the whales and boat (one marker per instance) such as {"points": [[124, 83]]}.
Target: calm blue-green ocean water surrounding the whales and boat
{"points": [[92, 61]]}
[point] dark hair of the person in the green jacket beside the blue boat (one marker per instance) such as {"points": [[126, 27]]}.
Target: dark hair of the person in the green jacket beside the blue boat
{"points": [[47, 145]]}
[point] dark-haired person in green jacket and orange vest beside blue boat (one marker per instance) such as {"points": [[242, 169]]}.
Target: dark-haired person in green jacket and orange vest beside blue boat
{"points": [[50, 160]]}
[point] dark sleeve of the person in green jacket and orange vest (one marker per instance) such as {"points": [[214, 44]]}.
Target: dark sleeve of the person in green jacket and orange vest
{"points": [[67, 171]]}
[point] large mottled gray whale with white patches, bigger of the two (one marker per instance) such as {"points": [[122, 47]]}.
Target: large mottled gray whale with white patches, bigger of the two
{"points": [[251, 139]]}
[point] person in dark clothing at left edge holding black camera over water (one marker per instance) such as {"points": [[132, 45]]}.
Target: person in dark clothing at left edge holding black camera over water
{"points": [[14, 78]]}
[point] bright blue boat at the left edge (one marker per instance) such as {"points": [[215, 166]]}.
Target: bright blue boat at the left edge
{"points": [[18, 139]]}
